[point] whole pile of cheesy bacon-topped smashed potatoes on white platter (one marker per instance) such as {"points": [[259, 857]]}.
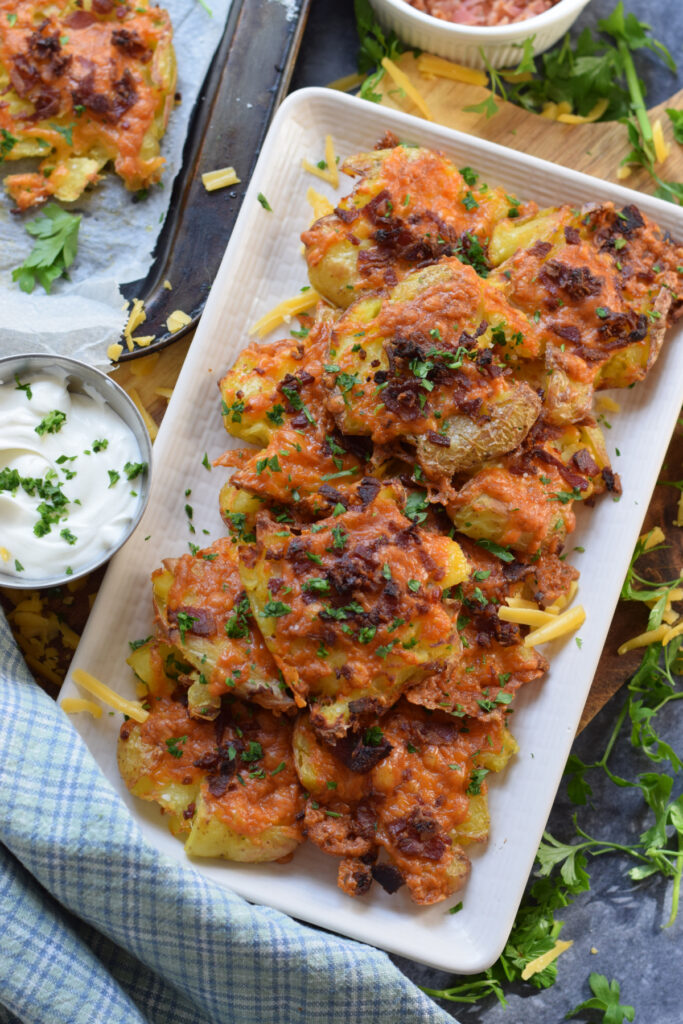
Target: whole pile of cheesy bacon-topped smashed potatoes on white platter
{"points": [[397, 529]]}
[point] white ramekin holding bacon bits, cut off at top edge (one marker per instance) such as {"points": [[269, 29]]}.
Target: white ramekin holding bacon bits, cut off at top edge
{"points": [[500, 46]]}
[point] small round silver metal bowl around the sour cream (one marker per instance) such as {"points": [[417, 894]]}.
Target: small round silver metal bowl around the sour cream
{"points": [[78, 375]]}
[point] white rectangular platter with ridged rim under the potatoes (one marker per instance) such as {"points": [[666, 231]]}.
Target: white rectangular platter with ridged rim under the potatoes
{"points": [[263, 266]]}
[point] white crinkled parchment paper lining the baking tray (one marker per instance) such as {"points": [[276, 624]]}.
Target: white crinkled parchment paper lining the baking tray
{"points": [[117, 237]]}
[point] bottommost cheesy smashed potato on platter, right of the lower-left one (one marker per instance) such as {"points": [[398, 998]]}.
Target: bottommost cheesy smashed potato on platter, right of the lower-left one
{"points": [[421, 796]]}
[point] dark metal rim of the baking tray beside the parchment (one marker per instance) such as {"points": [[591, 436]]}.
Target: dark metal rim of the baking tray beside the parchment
{"points": [[248, 77]]}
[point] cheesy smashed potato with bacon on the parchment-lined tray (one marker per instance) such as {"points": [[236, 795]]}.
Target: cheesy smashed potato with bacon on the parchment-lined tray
{"points": [[83, 84]]}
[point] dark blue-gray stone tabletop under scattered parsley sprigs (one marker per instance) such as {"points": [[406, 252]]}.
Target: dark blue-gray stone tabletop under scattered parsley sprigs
{"points": [[622, 921]]}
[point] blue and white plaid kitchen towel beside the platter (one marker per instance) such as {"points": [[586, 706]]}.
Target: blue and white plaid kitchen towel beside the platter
{"points": [[97, 926]]}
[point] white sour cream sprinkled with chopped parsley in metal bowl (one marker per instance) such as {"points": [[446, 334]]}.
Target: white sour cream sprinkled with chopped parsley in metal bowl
{"points": [[70, 478]]}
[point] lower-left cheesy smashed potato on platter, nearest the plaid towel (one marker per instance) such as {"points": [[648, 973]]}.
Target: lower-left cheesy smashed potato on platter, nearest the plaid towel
{"points": [[232, 789]]}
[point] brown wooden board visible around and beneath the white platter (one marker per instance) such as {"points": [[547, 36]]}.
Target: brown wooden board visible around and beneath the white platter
{"points": [[595, 149]]}
